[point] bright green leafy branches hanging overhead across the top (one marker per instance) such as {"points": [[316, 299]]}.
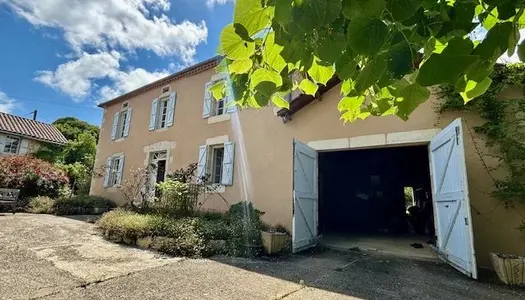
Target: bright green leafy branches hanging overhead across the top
{"points": [[386, 52]]}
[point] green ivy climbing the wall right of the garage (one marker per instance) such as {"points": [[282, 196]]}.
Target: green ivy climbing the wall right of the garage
{"points": [[504, 130]]}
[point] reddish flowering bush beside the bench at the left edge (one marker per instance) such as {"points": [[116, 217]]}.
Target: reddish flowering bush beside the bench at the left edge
{"points": [[33, 176]]}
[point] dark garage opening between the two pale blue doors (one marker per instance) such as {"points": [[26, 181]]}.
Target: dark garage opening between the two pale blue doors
{"points": [[377, 199]]}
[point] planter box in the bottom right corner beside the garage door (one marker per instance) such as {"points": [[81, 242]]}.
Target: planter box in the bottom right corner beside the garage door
{"points": [[510, 268]]}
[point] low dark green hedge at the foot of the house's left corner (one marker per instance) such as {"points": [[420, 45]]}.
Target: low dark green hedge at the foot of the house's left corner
{"points": [[82, 204]]}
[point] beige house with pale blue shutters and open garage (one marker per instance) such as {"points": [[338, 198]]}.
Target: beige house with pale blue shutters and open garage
{"points": [[323, 180]]}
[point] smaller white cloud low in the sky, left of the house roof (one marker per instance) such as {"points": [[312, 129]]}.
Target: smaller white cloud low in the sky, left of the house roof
{"points": [[75, 77]]}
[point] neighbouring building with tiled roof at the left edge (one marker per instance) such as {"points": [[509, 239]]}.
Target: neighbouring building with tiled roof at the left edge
{"points": [[20, 135]]}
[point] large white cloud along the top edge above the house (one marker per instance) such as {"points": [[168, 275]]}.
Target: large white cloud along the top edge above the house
{"points": [[113, 24]]}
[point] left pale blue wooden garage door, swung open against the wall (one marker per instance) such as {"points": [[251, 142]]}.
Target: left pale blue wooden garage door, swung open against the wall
{"points": [[305, 199]]}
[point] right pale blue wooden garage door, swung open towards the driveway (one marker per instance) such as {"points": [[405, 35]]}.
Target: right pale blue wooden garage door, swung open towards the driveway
{"points": [[455, 241]]}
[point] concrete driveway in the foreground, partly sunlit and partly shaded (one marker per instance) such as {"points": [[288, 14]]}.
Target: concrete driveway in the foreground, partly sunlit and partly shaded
{"points": [[49, 257]]}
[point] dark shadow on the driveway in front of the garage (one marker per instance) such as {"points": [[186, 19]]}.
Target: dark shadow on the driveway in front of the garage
{"points": [[375, 276]]}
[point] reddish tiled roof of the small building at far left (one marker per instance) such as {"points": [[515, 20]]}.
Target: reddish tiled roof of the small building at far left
{"points": [[31, 129]]}
